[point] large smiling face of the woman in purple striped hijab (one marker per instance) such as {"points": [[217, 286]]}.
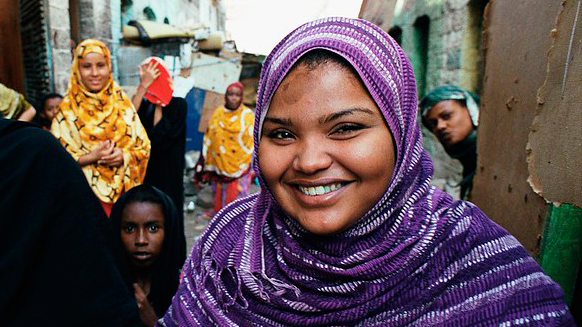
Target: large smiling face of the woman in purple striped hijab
{"points": [[325, 152]]}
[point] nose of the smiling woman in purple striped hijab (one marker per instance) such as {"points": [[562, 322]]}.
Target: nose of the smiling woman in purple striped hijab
{"points": [[312, 156]]}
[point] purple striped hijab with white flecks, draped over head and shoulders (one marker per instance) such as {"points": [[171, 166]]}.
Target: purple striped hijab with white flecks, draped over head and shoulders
{"points": [[415, 258]]}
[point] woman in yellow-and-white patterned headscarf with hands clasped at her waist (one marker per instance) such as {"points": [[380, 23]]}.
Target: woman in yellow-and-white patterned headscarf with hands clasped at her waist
{"points": [[99, 126]]}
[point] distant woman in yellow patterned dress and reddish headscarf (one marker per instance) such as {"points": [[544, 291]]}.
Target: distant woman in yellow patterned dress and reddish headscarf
{"points": [[228, 147]]}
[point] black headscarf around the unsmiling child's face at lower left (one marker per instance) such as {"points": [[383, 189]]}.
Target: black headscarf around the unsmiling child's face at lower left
{"points": [[166, 268]]}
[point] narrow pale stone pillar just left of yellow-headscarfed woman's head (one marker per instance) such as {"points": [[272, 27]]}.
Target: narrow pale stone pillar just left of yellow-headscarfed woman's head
{"points": [[60, 37]]}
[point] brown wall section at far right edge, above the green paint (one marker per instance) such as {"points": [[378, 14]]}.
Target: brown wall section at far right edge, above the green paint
{"points": [[555, 140]]}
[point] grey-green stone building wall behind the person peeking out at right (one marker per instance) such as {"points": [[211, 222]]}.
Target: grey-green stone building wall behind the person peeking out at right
{"points": [[442, 38]]}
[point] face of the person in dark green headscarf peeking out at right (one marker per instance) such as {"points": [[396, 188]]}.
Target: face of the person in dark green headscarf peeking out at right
{"points": [[450, 122]]}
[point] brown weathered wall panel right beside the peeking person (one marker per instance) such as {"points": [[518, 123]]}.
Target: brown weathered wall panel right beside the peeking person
{"points": [[515, 68]]}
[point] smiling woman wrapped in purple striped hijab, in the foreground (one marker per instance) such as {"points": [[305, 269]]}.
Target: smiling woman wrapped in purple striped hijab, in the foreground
{"points": [[347, 230]]}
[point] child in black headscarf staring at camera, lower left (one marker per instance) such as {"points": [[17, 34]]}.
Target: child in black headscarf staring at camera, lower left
{"points": [[149, 241]]}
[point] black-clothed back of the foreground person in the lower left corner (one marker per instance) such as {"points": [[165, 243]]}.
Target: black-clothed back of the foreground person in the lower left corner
{"points": [[56, 267]]}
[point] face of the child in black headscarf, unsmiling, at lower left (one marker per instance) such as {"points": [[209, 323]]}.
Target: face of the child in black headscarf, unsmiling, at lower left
{"points": [[142, 232]]}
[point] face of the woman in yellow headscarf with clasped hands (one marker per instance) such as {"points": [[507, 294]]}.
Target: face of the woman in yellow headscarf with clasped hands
{"points": [[94, 71]]}
